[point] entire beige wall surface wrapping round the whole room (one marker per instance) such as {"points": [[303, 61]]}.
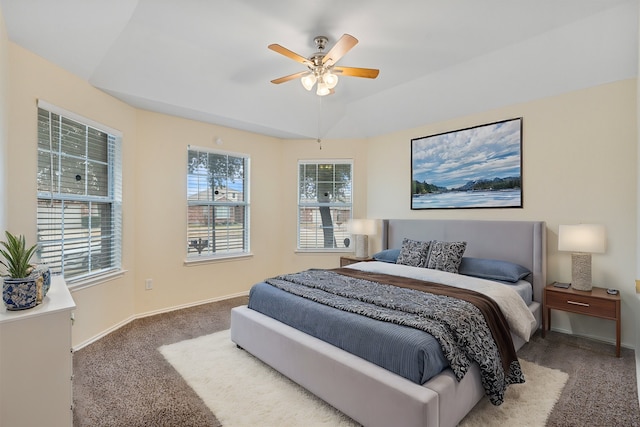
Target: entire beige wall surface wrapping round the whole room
{"points": [[579, 166]]}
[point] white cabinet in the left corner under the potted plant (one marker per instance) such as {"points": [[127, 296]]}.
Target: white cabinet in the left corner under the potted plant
{"points": [[36, 362]]}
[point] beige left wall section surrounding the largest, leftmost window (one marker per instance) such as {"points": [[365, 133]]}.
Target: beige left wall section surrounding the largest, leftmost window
{"points": [[31, 78]]}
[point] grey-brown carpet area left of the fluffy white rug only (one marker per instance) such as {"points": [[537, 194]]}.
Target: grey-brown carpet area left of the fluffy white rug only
{"points": [[123, 380]]}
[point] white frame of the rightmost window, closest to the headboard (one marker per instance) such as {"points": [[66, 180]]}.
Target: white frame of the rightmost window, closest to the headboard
{"points": [[337, 248]]}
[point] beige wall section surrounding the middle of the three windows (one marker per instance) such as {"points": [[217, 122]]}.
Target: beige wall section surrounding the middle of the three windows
{"points": [[160, 213]]}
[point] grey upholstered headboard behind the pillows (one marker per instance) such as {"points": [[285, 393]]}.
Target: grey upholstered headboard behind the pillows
{"points": [[522, 242]]}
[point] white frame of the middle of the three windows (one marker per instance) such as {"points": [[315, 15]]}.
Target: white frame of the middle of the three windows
{"points": [[225, 206]]}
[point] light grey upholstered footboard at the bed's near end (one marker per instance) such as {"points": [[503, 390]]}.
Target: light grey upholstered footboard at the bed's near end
{"points": [[367, 393]]}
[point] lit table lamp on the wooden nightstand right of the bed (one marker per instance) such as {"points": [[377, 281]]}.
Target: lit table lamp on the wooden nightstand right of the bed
{"points": [[582, 240]]}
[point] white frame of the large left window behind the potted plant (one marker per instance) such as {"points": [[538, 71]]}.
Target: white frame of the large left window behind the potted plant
{"points": [[113, 199]]}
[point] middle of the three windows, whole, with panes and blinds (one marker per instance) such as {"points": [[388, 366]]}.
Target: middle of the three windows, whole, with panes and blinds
{"points": [[217, 203]]}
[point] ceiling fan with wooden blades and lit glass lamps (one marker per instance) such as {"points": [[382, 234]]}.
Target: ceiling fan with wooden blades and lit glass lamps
{"points": [[322, 66]]}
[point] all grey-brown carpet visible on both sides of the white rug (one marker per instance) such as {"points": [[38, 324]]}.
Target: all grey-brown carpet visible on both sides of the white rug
{"points": [[123, 380]]}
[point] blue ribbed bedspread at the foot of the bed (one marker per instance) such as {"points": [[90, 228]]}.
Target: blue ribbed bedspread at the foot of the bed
{"points": [[406, 351]]}
